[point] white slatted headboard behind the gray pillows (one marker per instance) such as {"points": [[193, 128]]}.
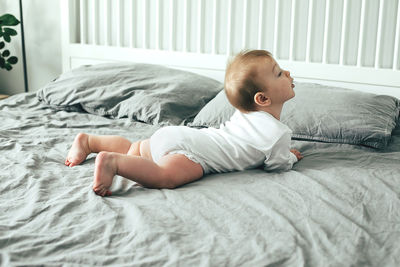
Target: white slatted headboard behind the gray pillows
{"points": [[346, 43]]}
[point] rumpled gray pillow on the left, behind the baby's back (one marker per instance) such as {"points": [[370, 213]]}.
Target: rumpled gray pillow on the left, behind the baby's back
{"points": [[149, 93]]}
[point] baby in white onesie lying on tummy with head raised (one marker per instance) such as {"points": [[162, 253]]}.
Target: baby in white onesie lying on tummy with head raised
{"points": [[175, 155]]}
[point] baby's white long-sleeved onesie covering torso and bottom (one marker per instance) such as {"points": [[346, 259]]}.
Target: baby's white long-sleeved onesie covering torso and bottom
{"points": [[244, 142]]}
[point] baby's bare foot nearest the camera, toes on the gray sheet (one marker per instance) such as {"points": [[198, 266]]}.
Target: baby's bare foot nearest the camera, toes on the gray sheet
{"points": [[104, 173]]}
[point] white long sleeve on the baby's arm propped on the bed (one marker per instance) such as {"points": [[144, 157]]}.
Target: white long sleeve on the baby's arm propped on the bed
{"points": [[280, 159]]}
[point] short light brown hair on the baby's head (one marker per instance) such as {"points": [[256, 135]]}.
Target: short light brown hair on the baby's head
{"points": [[240, 79]]}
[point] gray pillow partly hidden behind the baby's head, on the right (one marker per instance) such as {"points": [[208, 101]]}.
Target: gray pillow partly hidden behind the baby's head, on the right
{"points": [[324, 113]]}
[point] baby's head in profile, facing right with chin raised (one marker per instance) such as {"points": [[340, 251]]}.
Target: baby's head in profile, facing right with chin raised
{"points": [[254, 81]]}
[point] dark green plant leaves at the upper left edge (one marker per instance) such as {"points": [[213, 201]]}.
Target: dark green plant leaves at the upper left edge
{"points": [[6, 59]]}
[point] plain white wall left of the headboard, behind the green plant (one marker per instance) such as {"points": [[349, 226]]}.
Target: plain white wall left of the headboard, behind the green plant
{"points": [[42, 44]]}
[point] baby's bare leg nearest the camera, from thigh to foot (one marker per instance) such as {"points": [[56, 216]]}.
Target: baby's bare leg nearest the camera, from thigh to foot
{"points": [[172, 171]]}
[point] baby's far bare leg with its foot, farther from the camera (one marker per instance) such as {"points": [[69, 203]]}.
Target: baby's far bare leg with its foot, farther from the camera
{"points": [[84, 144]]}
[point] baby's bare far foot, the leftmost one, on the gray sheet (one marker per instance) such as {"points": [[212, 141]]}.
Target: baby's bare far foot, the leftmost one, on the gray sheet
{"points": [[79, 150]]}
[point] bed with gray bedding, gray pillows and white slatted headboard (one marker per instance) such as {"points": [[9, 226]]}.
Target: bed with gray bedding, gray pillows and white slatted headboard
{"points": [[338, 206]]}
